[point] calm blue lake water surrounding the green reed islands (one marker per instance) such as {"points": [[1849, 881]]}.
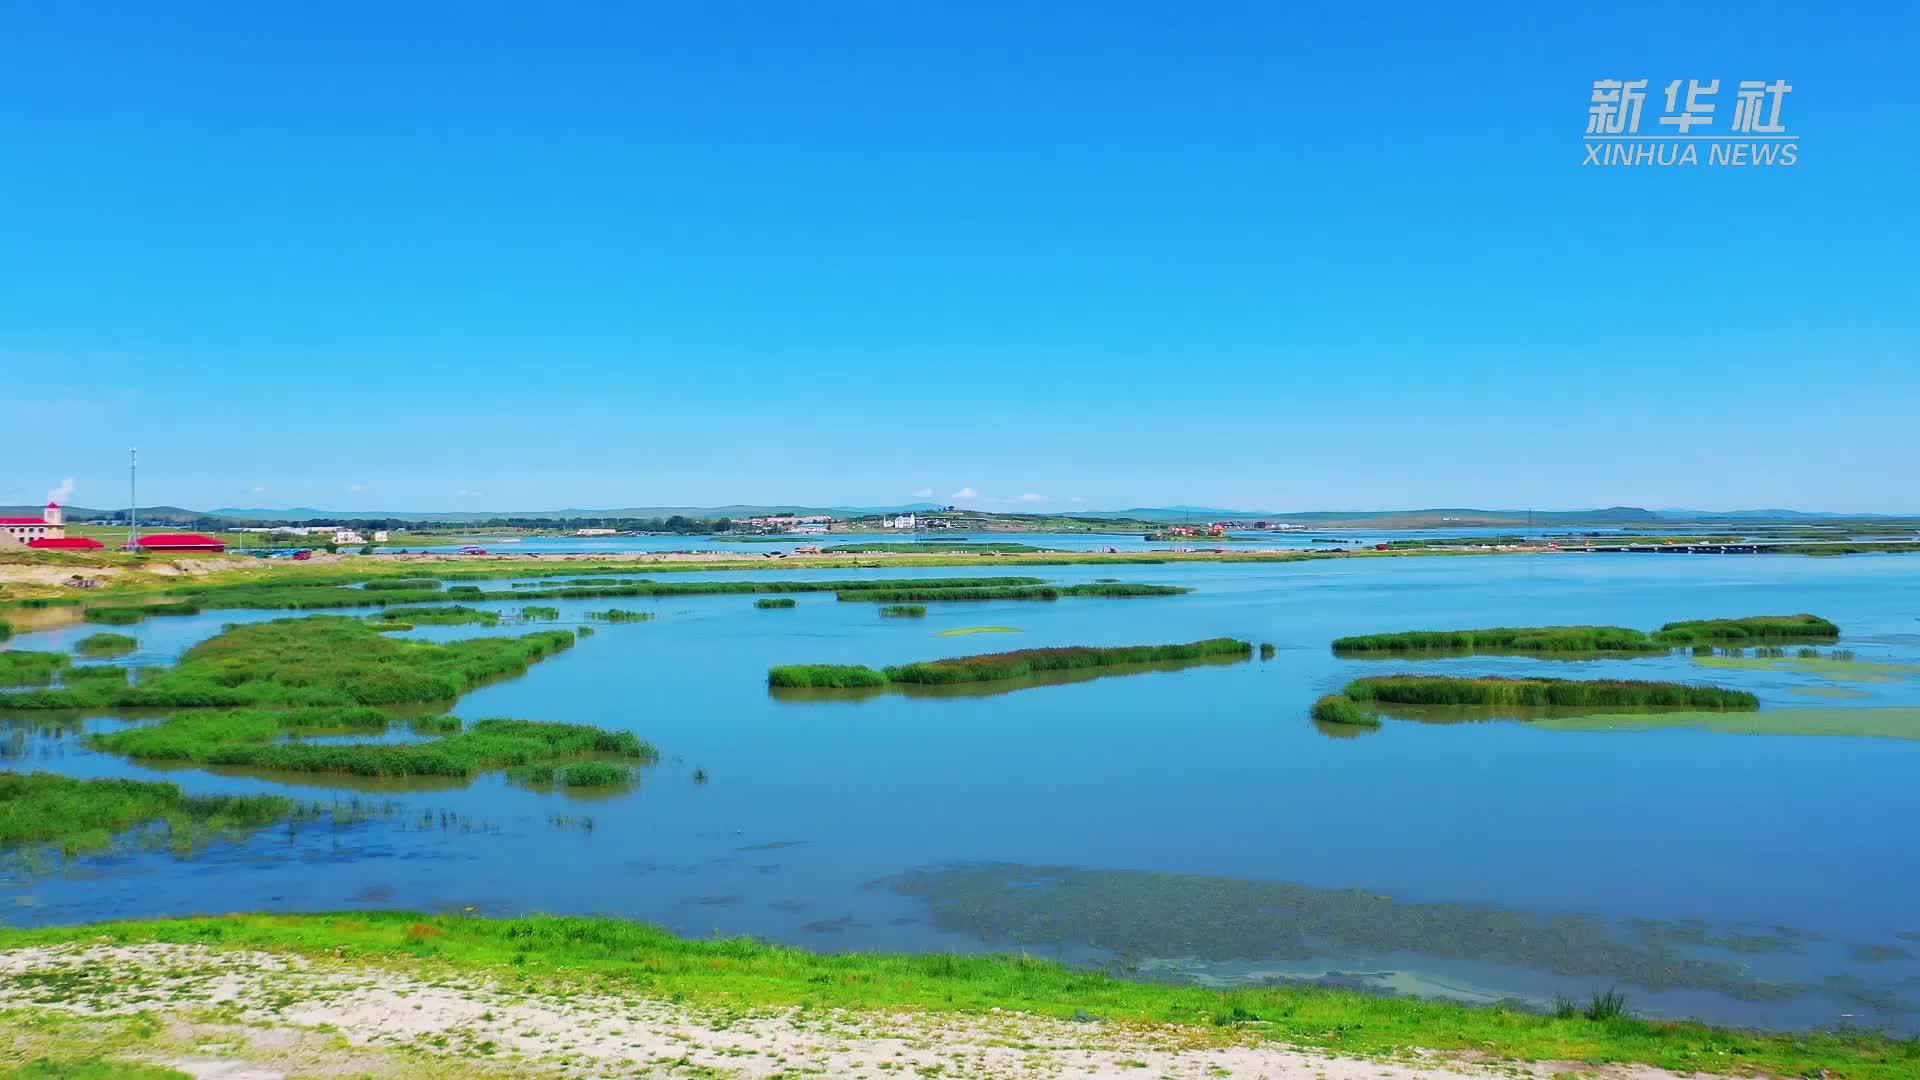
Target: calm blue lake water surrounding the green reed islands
{"points": [[1744, 879]]}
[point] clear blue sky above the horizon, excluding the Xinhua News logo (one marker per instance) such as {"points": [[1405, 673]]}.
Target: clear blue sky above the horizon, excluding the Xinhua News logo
{"points": [[1280, 257]]}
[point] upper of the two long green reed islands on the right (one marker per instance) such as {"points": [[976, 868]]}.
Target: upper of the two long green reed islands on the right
{"points": [[1550, 641]]}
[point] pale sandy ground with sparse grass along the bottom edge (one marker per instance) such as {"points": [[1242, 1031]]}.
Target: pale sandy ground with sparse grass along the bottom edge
{"points": [[239, 1016]]}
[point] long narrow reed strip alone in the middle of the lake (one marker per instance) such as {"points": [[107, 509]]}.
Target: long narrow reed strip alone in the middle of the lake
{"points": [[994, 668]]}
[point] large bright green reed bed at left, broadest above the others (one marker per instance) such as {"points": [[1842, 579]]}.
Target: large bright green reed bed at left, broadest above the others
{"points": [[322, 660]]}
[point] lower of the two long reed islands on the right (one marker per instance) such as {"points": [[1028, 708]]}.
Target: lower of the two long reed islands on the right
{"points": [[1543, 693]]}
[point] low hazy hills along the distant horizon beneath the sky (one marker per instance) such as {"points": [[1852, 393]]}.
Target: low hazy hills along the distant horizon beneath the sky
{"points": [[1435, 518]]}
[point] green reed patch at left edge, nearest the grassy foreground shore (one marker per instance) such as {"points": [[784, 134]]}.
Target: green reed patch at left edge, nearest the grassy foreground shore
{"points": [[84, 816]]}
